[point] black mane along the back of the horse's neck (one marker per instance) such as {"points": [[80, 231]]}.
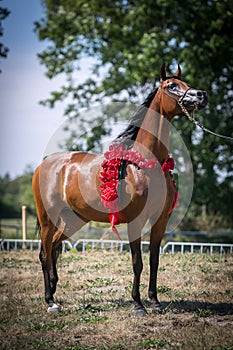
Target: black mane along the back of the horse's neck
{"points": [[130, 133]]}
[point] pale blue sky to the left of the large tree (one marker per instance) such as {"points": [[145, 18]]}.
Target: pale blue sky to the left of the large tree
{"points": [[25, 126]]}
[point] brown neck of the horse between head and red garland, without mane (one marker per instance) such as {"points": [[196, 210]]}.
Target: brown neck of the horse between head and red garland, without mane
{"points": [[153, 136]]}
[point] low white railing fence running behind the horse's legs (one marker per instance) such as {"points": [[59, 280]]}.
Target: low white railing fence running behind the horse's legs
{"points": [[117, 245]]}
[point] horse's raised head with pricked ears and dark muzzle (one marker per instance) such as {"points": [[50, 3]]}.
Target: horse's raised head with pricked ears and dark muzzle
{"points": [[178, 94]]}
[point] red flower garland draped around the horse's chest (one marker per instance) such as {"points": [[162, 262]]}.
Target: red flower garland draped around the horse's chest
{"points": [[111, 176]]}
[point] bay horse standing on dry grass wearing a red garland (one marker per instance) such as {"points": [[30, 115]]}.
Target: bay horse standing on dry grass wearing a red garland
{"points": [[68, 186]]}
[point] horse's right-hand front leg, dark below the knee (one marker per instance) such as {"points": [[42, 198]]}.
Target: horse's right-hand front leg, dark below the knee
{"points": [[157, 233]]}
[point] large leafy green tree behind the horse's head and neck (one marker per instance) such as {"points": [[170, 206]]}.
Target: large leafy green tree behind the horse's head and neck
{"points": [[129, 40]]}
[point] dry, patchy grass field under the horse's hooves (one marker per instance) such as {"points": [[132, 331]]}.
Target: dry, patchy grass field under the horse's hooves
{"points": [[94, 292]]}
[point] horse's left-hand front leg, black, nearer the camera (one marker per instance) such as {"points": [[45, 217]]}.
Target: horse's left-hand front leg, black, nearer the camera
{"points": [[135, 247]]}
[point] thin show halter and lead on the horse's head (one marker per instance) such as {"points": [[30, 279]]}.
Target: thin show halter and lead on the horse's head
{"points": [[191, 117]]}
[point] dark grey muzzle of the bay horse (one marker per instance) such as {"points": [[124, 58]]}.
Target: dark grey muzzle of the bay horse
{"points": [[195, 99]]}
